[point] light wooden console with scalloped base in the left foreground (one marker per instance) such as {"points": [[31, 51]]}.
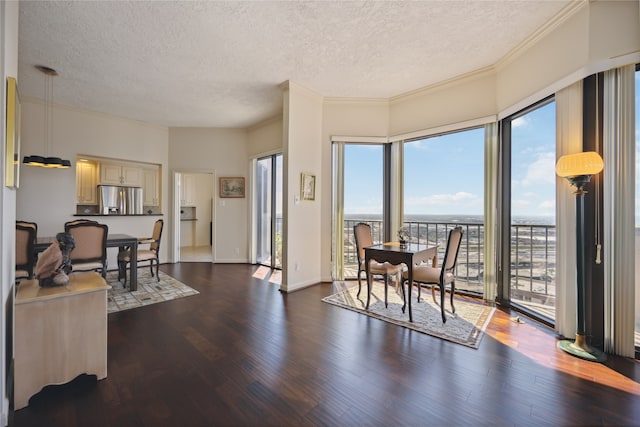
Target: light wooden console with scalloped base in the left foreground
{"points": [[60, 333]]}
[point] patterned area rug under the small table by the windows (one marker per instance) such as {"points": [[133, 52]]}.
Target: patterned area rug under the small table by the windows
{"points": [[466, 326]]}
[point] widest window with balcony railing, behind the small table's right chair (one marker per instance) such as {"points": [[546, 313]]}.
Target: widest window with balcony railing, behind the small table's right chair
{"points": [[443, 187]]}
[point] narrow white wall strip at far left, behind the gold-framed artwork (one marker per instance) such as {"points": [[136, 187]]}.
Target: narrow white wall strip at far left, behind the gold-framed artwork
{"points": [[9, 67]]}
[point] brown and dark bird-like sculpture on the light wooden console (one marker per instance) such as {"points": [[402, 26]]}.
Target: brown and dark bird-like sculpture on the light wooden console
{"points": [[53, 266]]}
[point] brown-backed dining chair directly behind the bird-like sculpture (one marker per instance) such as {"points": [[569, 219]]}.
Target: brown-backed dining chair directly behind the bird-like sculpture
{"points": [[90, 253]]}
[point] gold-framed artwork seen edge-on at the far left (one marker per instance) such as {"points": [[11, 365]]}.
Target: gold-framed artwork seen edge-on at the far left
{"points": [[12, 149]]}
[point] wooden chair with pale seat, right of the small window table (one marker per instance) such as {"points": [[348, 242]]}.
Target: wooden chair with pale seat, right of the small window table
{"points": [[440, 276]]}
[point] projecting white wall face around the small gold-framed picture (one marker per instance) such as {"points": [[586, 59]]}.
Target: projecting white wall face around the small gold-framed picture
{"points": [[302, 248]]}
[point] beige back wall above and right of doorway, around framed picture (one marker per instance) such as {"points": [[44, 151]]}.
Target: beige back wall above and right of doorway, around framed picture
{"points": [[223, 151]]}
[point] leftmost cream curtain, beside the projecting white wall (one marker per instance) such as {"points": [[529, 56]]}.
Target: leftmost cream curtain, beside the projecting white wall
{"points": [[337, 206]]}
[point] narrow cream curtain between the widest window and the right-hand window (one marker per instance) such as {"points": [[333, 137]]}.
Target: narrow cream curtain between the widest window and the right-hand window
{"points": [[490, 210]]}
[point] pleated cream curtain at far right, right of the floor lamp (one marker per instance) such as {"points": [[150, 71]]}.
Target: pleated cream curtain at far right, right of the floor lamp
{"points": [[619, 201]]}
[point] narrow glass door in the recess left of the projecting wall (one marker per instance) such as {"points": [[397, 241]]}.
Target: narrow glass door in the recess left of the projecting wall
{"points": [[269, 211]]}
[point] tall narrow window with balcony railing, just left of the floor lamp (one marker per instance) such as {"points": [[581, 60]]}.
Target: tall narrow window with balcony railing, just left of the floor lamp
{"points": [[532, 208]]}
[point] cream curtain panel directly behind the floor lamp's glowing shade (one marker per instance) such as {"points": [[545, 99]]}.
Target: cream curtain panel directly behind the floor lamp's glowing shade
{"points": [[568, 141]]}
